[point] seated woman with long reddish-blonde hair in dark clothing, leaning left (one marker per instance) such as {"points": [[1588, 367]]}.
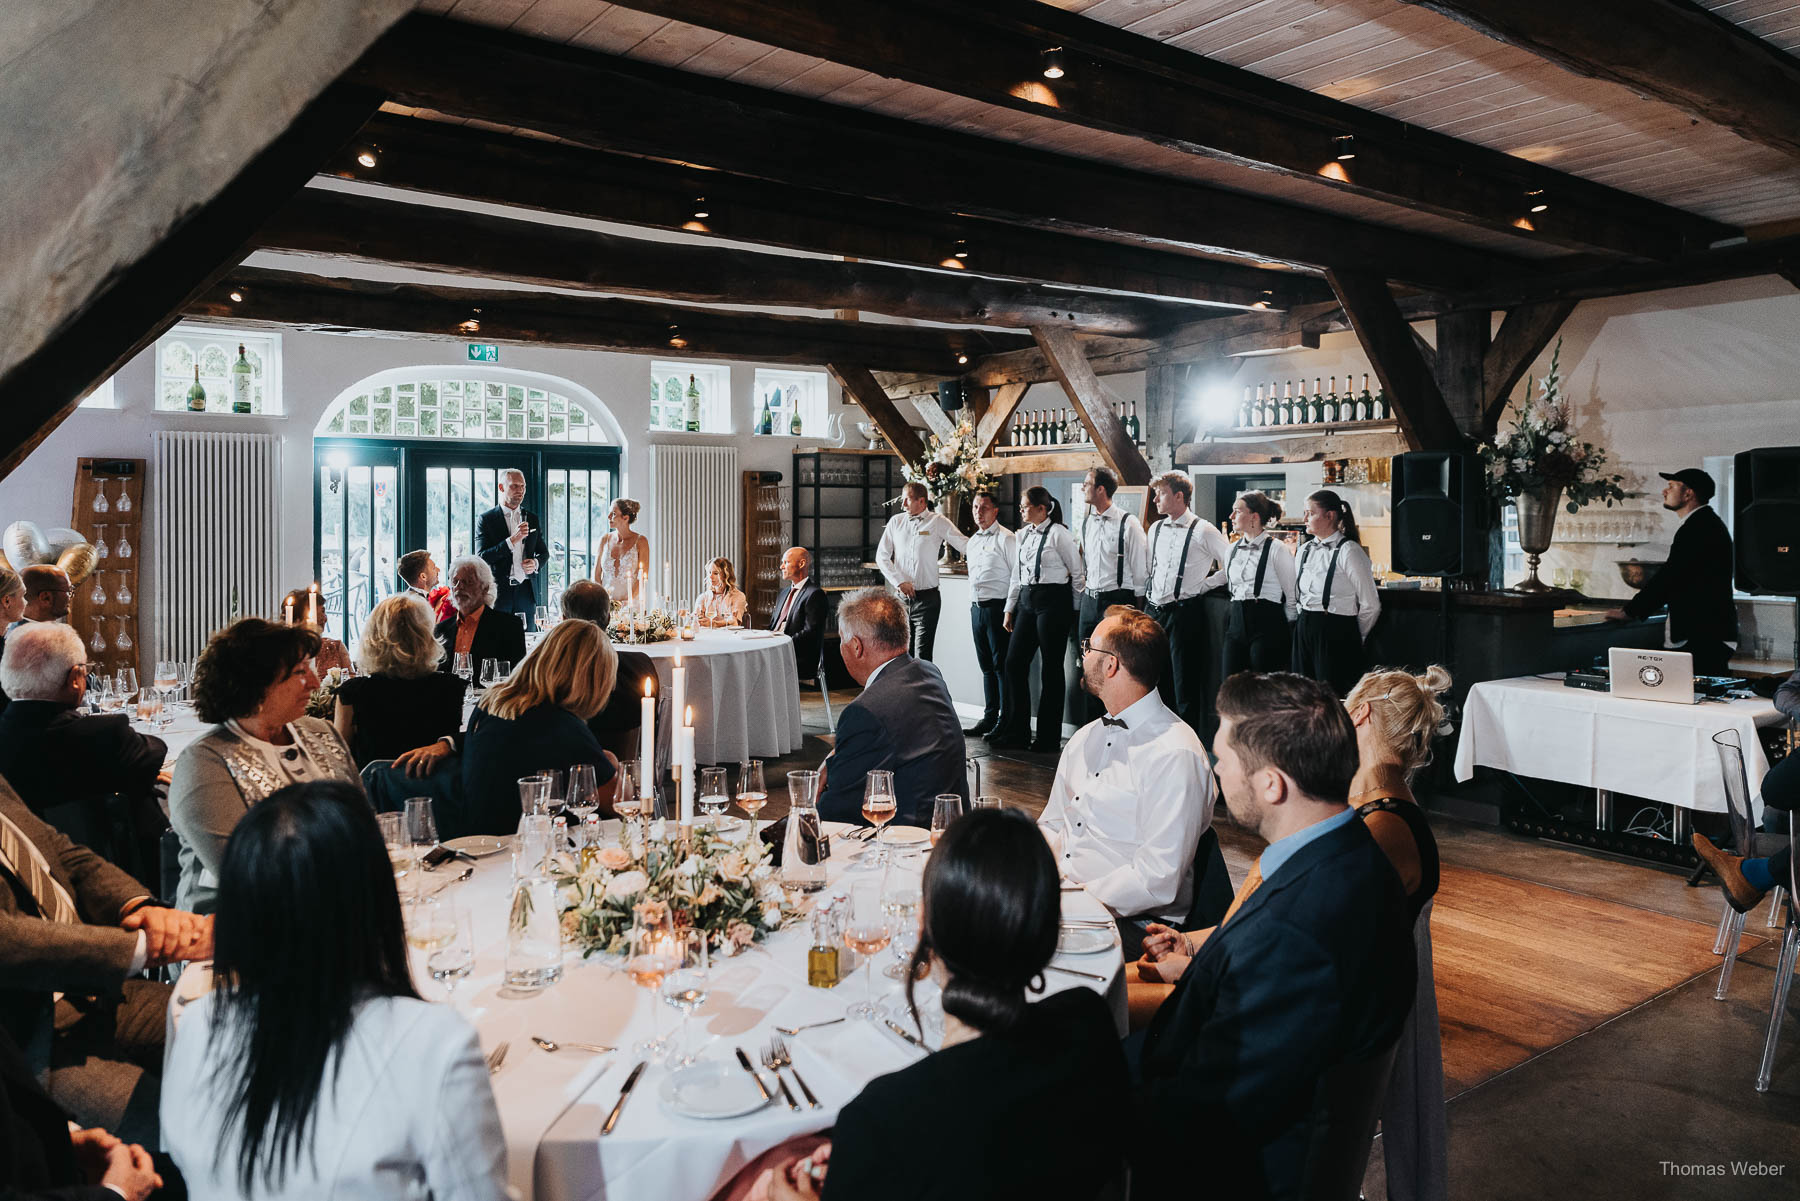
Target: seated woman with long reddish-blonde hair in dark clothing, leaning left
{"points": [[537, 719]]}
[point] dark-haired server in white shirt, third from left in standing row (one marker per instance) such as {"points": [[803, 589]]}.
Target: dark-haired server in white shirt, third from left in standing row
{"points": [[1039, 617]]}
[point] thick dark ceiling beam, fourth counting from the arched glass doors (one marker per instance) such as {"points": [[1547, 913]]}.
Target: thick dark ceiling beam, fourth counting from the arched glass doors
{"points": [[642, 109]]}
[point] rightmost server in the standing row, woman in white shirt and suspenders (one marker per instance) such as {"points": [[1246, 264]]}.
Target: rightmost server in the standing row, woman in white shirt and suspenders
{"points": [[1338, 599]]}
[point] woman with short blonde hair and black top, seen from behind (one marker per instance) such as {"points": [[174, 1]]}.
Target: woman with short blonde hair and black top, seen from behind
{"points": [[402, 701]]}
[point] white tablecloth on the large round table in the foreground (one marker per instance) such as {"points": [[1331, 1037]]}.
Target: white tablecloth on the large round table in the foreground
{"points": [[552, 1106]]}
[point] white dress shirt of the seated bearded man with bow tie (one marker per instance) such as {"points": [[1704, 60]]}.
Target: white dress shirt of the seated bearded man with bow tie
{"points": [[1129, 808]]}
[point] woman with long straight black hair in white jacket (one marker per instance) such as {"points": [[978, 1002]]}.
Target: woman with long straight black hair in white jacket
{"points": [[314, 1069]]}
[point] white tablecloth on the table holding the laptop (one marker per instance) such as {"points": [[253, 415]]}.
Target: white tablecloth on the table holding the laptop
{"points": [[1642, 748]]}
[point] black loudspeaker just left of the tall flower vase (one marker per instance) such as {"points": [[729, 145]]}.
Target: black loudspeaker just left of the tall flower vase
{"points": [[1439, 509]]}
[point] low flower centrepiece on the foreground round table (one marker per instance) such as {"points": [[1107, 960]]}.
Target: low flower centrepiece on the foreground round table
{"points": [[715, 885]]}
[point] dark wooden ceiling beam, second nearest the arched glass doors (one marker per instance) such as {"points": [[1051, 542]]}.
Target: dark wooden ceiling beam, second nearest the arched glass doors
{"points": [[366, 230]]}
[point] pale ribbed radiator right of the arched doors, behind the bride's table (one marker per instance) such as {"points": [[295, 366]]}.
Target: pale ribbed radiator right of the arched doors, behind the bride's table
{"points": [[699, 514]]}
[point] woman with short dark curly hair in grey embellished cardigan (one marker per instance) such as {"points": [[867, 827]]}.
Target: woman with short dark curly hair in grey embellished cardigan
{"points": [[253, 680]]}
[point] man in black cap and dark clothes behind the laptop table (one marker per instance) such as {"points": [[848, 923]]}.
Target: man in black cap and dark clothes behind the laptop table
{"points": [[1696, 582]]}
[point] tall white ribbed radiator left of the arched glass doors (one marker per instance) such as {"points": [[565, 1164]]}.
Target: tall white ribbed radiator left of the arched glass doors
{"points": [[217, 532]]}
